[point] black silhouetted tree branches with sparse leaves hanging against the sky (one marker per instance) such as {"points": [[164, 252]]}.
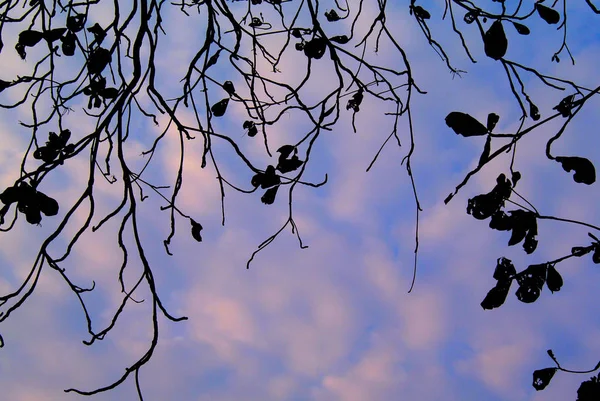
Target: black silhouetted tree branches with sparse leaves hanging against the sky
{"points": [[78, 63]]}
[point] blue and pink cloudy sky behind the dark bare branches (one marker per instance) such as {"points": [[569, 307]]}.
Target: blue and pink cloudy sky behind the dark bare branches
{"points": [[333, 321]]}
